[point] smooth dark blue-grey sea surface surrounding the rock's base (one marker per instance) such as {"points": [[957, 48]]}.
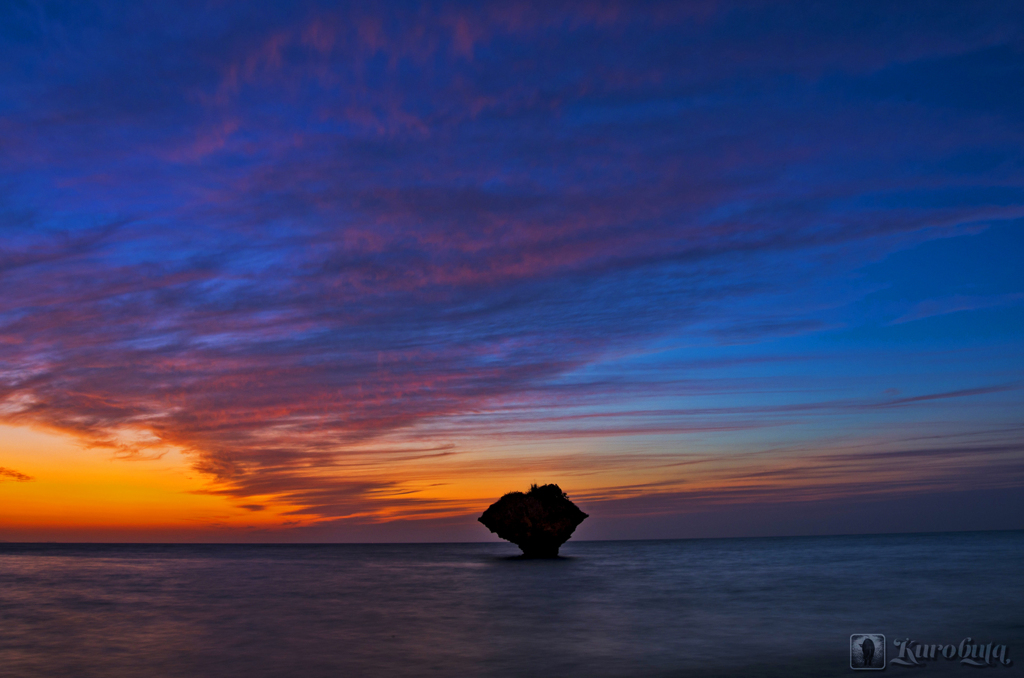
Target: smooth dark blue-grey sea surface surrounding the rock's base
{"points": [[715, 608]]}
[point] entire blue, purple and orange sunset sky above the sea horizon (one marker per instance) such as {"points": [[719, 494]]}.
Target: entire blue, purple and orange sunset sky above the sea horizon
{"points": [[298, 272]]}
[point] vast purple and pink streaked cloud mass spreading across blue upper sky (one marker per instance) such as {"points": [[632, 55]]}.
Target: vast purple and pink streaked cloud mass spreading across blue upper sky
{"points": [[311, 245]]}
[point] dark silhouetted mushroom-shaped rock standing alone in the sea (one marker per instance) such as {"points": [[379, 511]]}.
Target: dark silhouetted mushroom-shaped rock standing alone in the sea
{"points": [[538, 522]]}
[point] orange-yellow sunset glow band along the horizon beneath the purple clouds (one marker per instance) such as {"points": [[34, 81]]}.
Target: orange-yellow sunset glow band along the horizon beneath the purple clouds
{"points": [[80, 492]]}
